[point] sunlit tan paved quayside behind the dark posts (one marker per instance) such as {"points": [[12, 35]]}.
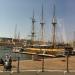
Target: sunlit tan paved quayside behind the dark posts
{"points": [[51, 65]]}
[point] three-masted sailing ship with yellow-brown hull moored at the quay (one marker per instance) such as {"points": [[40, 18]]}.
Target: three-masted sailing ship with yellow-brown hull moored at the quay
{"points": [[41, 47]]}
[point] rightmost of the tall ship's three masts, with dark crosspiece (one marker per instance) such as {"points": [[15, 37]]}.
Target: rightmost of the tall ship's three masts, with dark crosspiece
{"points": [[54, 22]]}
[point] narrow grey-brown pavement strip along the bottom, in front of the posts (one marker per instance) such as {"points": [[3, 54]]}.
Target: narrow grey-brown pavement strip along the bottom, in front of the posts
{"points": [[38, 73]]}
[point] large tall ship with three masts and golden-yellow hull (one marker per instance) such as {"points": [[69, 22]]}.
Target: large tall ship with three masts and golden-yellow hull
{"points": [[41, 47]]}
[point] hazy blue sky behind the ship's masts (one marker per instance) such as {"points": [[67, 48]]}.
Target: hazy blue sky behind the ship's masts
{"points": [[19, 12]]}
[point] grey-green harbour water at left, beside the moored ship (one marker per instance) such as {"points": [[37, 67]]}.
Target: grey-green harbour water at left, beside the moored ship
{"points": [[4, 51]]}
